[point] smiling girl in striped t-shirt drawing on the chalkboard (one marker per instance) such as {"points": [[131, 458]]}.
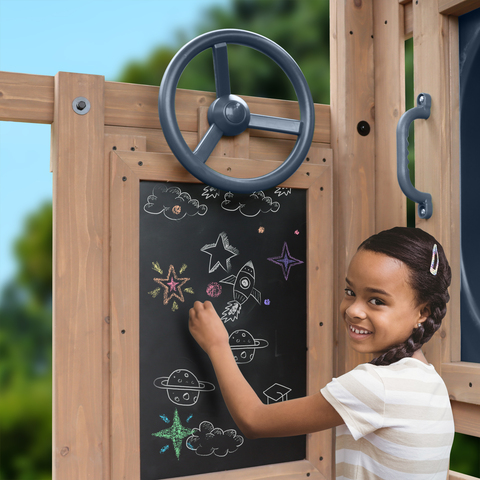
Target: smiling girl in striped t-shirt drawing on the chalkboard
{"points": [[393, 414]]}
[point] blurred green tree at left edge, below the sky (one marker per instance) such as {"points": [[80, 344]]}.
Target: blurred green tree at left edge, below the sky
{"points": [[26, 354]]}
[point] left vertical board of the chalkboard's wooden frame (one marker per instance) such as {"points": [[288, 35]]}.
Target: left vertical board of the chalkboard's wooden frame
{"points": [[125, 306]]}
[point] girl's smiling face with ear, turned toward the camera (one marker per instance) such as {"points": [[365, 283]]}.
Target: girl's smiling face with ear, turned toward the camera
{"points": [[379, 306]]}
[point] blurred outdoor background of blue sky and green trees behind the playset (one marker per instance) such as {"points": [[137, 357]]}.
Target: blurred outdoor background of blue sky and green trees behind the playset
{"points": [[127, 41]]}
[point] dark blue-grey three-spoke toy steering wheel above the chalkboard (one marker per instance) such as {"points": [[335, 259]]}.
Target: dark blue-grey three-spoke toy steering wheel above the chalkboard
{"points": [[194, 161]]}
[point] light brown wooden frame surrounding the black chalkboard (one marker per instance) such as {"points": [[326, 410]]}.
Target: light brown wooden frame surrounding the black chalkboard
{"points": [[128, 169]]}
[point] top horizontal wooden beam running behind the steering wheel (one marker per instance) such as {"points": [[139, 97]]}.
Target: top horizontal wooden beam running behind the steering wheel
{"points": [[29, 98]]}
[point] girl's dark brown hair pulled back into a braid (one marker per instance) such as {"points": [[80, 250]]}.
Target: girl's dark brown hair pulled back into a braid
{"points": [[415, 248]]}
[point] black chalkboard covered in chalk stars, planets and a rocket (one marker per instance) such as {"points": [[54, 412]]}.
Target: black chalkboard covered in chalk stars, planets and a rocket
{"points": [[246, 254]]}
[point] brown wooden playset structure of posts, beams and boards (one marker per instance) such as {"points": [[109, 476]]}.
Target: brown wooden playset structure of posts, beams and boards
{"points": [[107, 137]]}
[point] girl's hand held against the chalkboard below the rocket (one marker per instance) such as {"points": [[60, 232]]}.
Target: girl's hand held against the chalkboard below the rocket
{"points": [[206, 327]]}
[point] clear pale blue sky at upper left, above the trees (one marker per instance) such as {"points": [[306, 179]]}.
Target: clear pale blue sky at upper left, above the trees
{"points": [[96, 37]]}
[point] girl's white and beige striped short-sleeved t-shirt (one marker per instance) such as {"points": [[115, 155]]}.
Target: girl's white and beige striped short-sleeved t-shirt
{"points": [[398, 422]]}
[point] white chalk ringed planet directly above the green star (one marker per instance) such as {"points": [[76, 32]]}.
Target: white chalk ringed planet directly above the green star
{"points": [[183, 388]]}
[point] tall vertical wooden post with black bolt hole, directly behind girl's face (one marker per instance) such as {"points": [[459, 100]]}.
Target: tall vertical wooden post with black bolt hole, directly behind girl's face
{"points": [[352, 100]]}
